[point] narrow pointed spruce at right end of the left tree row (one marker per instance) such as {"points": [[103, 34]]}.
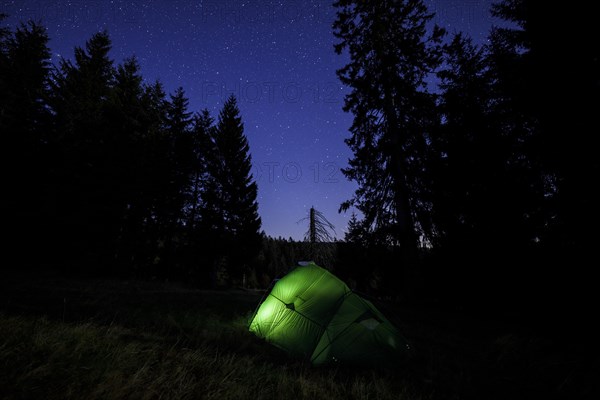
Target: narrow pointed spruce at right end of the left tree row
{"points": [[237, 190]]}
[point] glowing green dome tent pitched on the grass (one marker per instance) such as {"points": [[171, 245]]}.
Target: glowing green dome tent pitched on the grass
{"points": [[311, 313]]}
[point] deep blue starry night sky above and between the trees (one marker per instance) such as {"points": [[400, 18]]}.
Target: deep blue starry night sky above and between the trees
{"points": [[275, 56]]}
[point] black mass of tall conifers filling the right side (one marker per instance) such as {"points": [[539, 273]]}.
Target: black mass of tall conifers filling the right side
{"points": [[484, 186]]}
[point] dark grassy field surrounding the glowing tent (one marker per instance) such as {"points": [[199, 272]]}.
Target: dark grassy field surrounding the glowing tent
{"points": [[140, 340]]}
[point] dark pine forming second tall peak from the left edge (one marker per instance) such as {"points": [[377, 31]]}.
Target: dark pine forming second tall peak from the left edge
{"points": [[86, 216]]}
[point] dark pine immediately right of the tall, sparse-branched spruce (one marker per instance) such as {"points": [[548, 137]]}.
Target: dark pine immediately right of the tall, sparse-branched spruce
{"points": [[471, 154]]}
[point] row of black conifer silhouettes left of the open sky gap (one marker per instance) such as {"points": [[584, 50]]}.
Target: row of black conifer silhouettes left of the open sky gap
{"points": [[107, 174]]}
